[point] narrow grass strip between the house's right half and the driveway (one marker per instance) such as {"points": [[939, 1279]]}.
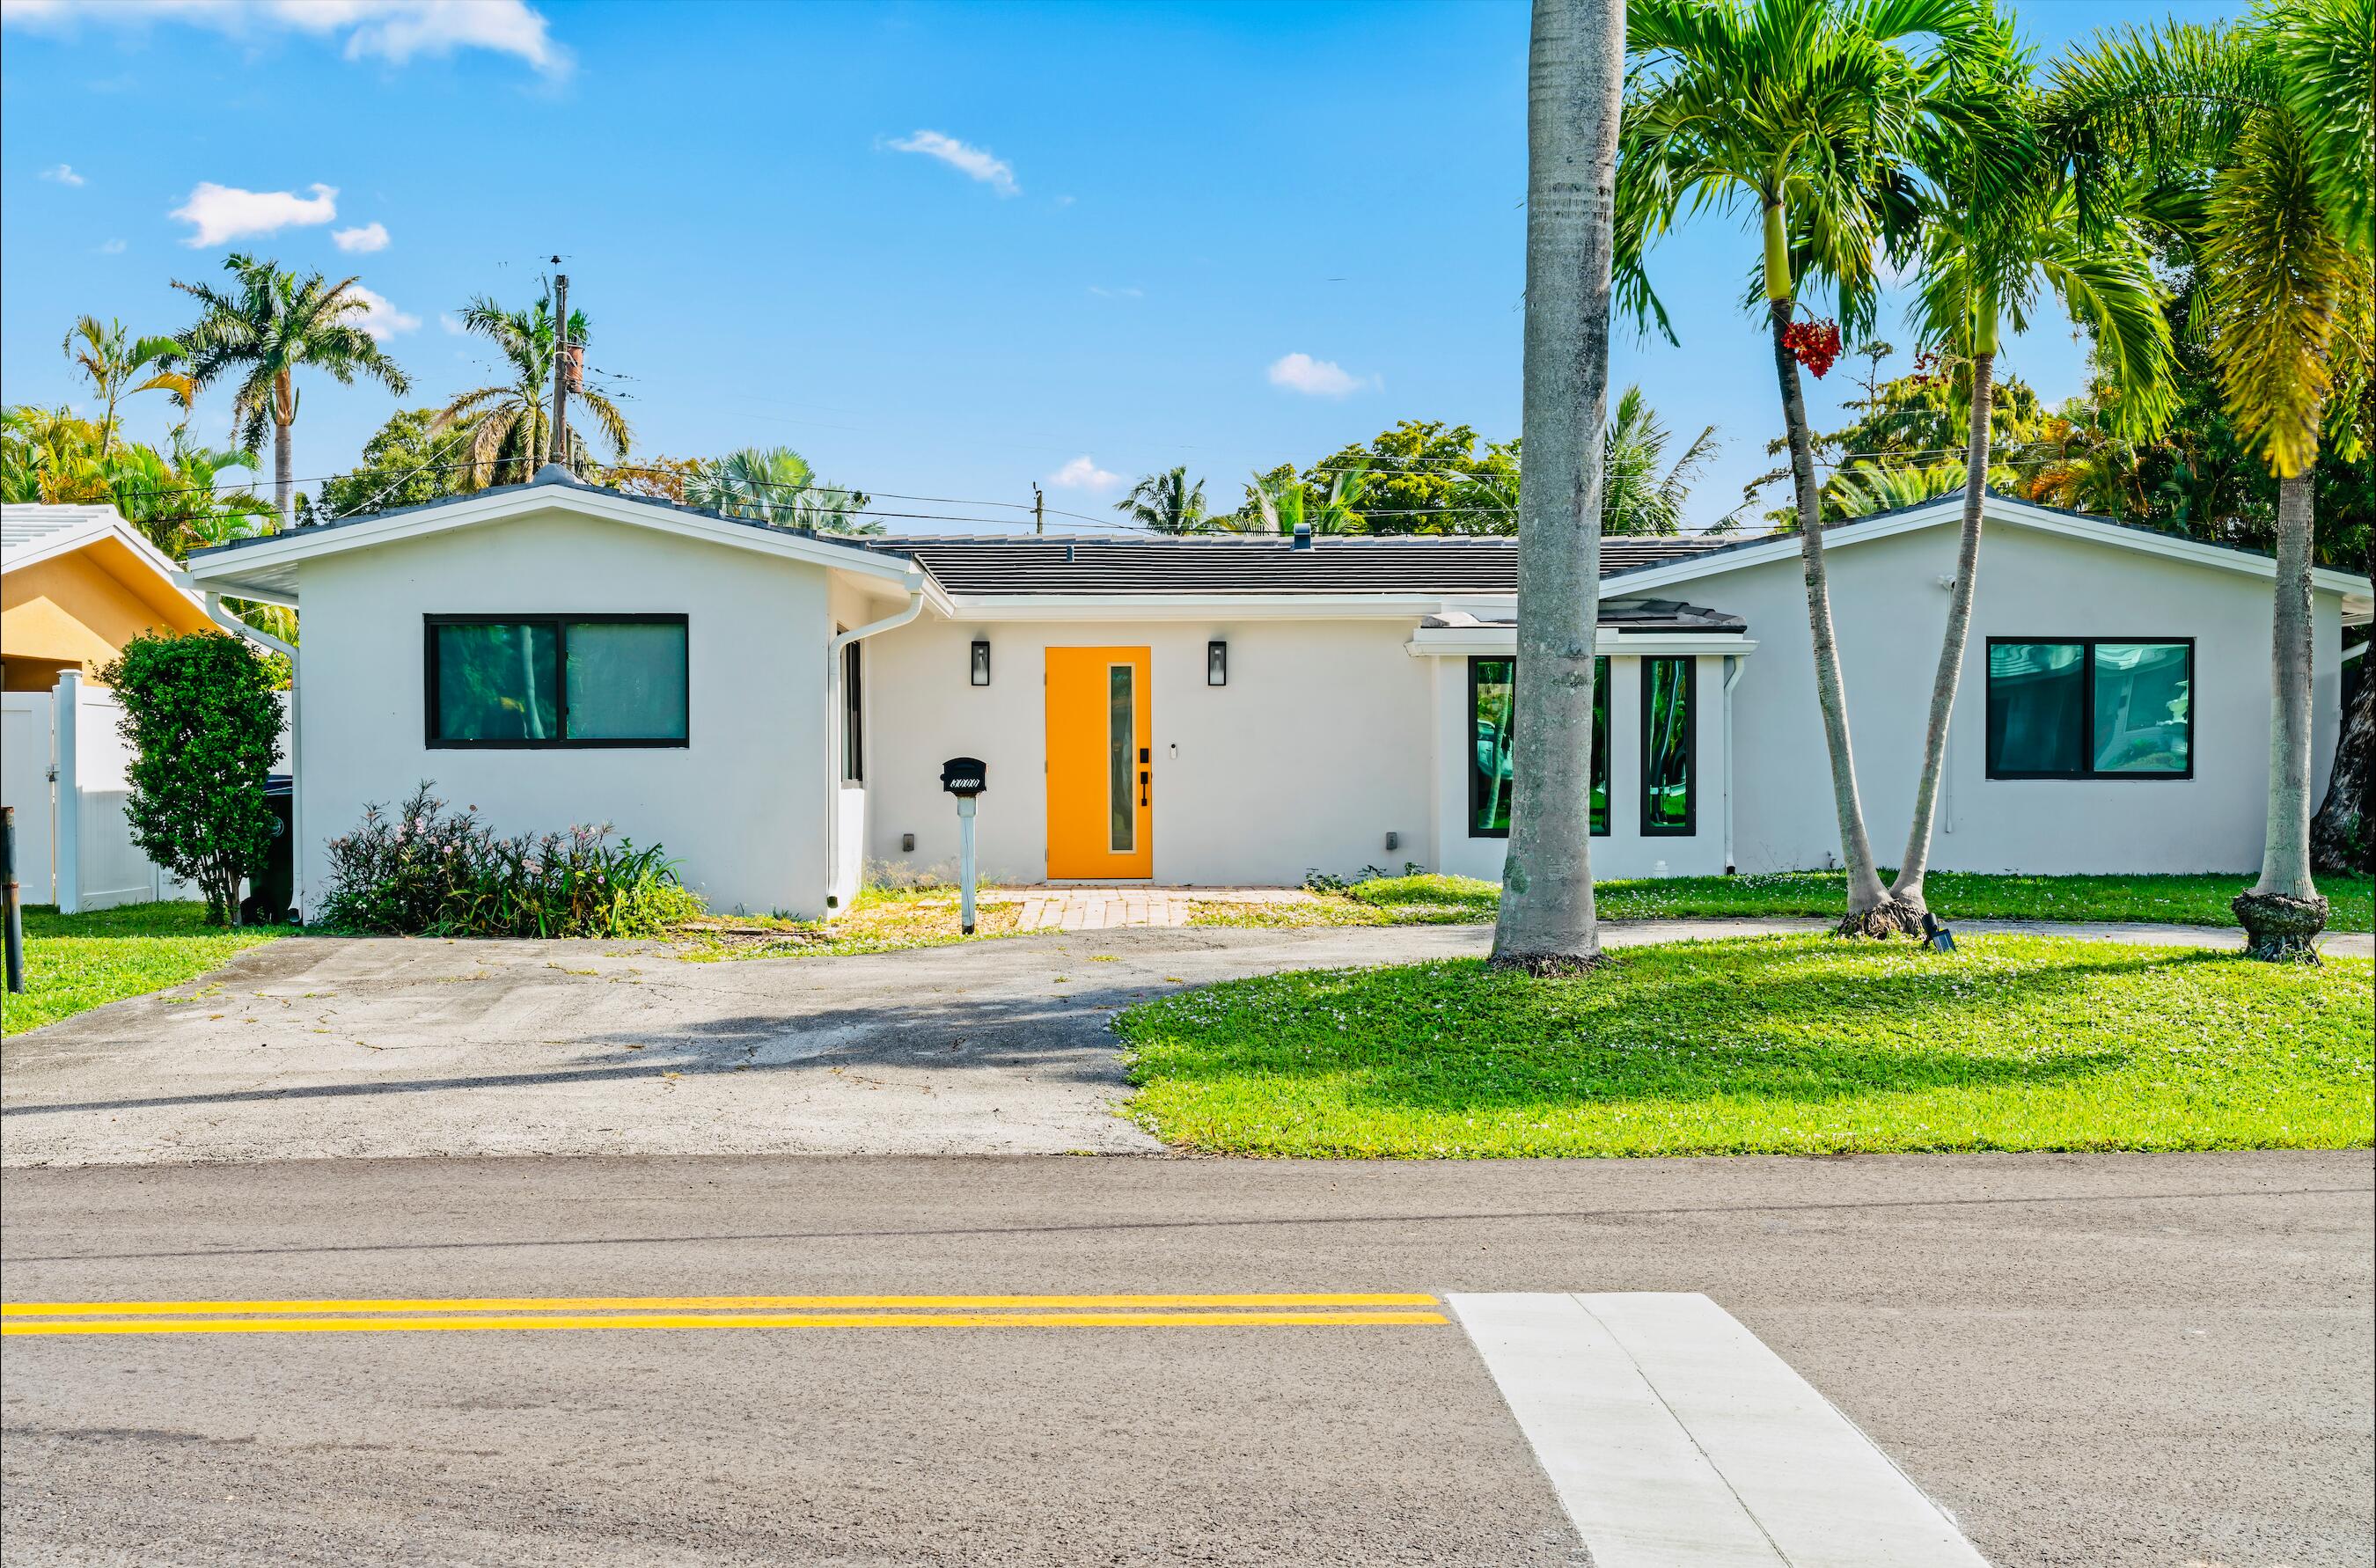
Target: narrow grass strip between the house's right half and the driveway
{"points": [[2194, 902]]}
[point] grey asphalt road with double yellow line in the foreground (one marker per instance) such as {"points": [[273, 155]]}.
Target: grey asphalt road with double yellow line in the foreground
{"points": [[2087, 1360]]}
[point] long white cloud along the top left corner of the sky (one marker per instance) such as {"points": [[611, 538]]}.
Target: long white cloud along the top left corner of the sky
{"points": [[386, 30]]}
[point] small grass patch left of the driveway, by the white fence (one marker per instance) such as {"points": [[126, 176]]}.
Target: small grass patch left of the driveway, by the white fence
{"points": [[75, 963]]}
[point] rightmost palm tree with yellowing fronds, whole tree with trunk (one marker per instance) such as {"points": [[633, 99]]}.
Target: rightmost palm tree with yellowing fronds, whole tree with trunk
{"points": [[2280, 118]]}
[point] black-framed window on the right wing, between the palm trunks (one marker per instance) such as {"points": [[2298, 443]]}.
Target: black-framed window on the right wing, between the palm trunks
{"points": [[2092, 709]]}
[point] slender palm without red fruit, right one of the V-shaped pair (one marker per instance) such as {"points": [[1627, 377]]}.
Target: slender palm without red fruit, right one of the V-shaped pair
{"points": [[1988, 246]]}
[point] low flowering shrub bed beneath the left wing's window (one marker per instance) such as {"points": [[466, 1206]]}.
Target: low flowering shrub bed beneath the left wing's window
{"points": [[445, 873]]}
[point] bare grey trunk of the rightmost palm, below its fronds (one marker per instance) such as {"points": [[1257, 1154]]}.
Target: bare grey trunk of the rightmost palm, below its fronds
{"points": [[2285, 911]]}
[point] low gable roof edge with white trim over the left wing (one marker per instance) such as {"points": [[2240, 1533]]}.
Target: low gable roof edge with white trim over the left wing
{"points": [[267, 567]]}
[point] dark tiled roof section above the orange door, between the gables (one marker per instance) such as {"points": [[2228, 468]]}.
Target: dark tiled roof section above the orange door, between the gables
{"points": [[1249, 564]]}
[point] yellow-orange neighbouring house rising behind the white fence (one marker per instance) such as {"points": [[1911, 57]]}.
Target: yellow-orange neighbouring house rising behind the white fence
{"points": [[77, 583]]}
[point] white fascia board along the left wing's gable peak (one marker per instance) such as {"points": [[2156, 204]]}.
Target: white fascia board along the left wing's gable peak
{"points": [[308, 543]]}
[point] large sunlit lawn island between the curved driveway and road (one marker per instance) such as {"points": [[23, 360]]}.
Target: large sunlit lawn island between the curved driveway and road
{"points": [[1769, 1044]]}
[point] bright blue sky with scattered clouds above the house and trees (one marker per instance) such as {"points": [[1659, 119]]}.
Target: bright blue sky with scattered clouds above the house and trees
{"points": [[942, 251]]}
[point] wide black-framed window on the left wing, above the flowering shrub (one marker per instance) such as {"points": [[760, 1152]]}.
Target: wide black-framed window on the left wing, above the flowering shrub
{"points": [[555, 681]]}
